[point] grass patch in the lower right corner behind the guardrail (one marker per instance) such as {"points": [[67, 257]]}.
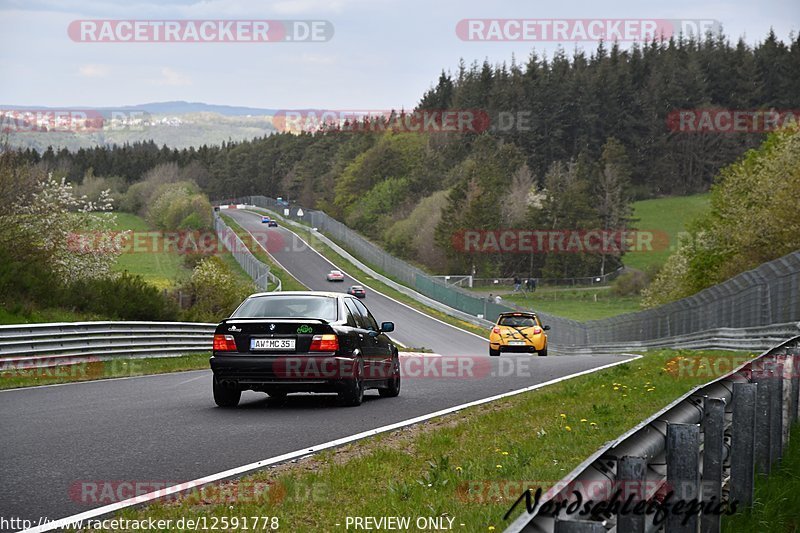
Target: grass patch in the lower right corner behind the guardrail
{"points": [[776, 505]]}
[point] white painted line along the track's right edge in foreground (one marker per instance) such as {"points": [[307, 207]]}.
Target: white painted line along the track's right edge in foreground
{"points": [[94, 513]]}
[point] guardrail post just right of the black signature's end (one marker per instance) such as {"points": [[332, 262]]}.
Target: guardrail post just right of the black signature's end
{"points": [[743, 439]]}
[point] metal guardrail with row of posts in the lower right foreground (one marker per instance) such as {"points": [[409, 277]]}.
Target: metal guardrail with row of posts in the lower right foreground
{"points": [[707, 446]]}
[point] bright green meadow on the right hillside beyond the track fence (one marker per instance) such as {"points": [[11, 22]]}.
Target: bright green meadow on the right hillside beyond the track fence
{"points": [[668, 215]]}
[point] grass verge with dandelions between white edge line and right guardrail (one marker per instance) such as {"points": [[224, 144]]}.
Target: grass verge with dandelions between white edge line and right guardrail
{"points": [[469, 465]]}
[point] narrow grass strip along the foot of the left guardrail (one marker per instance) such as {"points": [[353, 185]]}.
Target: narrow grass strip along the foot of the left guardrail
{"points": [[113, 368]]}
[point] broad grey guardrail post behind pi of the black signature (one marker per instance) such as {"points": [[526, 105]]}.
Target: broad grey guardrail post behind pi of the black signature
{"points": [[683, 473]]}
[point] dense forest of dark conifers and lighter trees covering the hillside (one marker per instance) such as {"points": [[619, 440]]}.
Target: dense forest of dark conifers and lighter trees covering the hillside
{"points": [[596, 137]]}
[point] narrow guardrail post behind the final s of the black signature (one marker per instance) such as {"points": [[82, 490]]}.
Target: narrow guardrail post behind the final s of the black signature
{"points": [[713, 455]]}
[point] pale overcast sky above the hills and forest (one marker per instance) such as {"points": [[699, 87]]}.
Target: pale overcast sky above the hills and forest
{"points": [[384, 53]]}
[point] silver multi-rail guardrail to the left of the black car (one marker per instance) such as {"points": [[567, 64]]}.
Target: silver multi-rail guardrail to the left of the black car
{"points": [[59, 342]]}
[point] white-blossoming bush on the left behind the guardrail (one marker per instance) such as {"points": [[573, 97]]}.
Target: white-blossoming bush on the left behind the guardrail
{"points": [[74, 232]]}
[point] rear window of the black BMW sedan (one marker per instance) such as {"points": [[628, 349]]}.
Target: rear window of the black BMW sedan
{"points": [[288, 307]]}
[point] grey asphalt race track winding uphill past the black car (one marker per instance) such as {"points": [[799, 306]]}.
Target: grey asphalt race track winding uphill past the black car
{"points": [[166, 428]]}
